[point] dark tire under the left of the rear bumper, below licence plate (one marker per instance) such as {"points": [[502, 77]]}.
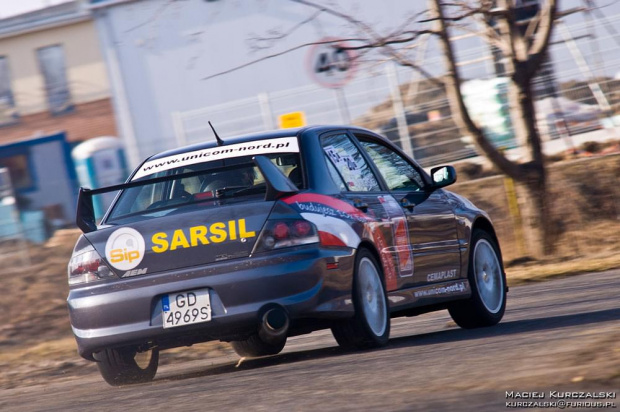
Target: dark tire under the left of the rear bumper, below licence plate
{"points": [[125, 366]]}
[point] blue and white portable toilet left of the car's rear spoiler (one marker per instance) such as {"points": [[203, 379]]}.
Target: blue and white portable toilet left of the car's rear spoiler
{"points": [[100, 162]]}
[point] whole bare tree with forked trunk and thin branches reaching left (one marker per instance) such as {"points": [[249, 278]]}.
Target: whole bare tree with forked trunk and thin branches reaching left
{"points": [[524, 49]]}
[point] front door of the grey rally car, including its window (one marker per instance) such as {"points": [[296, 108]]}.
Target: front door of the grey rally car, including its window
{"points": [[430, 217]]}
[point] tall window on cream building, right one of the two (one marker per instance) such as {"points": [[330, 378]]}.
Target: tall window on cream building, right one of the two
{"points": [[52, 64]]}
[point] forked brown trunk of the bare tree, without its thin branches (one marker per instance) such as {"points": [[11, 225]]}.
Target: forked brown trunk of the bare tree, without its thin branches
{"points": [[530, 175]]}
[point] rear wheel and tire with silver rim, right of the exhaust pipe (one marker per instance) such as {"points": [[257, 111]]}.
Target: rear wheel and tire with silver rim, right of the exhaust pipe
{"points": [[370, 326]]}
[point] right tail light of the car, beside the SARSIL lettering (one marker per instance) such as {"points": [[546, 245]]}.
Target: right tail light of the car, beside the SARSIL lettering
{"points": [[286, 233]]}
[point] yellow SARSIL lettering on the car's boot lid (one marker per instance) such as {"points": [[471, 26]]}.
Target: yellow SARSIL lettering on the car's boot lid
{"points": [[217, 232]]}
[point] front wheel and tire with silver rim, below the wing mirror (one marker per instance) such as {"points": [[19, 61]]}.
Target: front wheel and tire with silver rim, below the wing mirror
{"points": [[487, 280]]}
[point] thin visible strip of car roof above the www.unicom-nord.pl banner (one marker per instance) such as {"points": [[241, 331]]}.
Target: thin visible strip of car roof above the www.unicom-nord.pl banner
{"points": [[272, 134]]}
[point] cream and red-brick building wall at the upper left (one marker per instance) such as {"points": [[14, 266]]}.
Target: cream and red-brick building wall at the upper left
{"points": [[91, 113]]}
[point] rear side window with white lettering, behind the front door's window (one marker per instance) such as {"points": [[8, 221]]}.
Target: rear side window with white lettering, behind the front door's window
{"points": [[349, 163]]}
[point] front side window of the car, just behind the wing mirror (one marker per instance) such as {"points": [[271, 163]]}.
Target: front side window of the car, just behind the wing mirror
{"points": [[397, 172]]}
